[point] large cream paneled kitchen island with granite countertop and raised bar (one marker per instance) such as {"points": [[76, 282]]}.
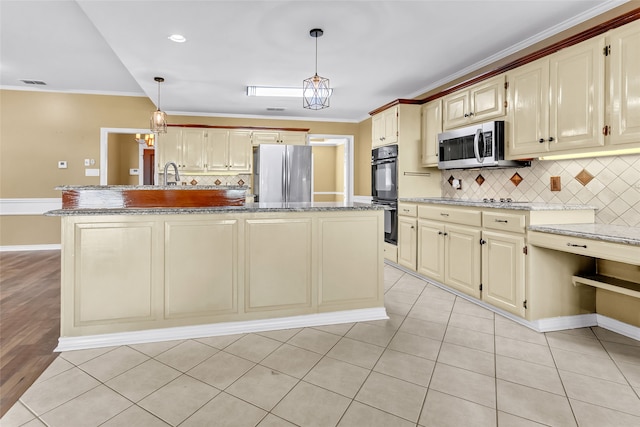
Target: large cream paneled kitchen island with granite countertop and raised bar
{"points": [[141, 274]]}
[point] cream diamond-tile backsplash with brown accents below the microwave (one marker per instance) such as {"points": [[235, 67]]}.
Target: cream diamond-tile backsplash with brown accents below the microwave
{"points": [[611, 184]]}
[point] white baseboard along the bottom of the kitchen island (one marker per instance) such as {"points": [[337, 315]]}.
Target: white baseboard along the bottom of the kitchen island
{"points": [[218, 329]]}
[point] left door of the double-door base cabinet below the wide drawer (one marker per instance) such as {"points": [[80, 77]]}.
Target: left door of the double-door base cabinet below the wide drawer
{"points": [[431, 250]]}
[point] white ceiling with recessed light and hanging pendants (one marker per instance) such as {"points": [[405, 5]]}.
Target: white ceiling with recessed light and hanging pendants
{"points": [[372, 51]]}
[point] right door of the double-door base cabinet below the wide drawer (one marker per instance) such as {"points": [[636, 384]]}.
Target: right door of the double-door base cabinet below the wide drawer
{"points": [[462, 259]]}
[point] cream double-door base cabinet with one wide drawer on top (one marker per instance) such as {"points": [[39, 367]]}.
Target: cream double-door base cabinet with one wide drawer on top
{"points": [[448, 246]]}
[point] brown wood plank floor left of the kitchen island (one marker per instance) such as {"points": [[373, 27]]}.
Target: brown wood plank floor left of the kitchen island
{"points": [[29, 319]]}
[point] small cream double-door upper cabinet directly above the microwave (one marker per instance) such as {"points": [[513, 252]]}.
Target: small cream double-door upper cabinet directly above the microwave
{"points": [[478, 103]]}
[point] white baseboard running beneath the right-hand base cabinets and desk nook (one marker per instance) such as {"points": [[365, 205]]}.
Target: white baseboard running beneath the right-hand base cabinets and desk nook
{"points": [[542, 325]]}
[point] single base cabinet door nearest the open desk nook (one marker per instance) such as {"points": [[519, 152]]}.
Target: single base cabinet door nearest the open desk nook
{"points": [[503, 280]]}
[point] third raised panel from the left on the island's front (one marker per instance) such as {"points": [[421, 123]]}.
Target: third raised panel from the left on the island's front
{"points": [[278, 264]]}
